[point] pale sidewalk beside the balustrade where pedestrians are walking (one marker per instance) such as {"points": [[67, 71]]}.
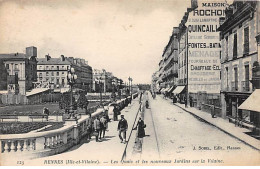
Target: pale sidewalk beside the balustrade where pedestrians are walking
{"points": [[108, 152]]}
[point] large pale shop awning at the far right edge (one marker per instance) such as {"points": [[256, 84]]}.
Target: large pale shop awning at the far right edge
{"points": [[252, 102]]}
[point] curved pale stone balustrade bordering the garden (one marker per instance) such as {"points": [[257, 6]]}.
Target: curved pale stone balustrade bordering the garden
{"points": [[46, 143]]}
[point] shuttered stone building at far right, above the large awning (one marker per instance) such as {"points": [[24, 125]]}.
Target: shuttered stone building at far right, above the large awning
{"points": [[239, 56]]}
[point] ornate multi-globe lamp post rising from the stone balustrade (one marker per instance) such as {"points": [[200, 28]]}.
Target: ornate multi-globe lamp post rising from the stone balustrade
{"points": [[71, 77]]}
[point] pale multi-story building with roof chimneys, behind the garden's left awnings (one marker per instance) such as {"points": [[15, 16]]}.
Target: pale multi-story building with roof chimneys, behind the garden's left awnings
{"points": [[53, 71]]}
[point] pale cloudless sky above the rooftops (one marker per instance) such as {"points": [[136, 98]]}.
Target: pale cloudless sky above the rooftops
{"points": [[125, 37]]}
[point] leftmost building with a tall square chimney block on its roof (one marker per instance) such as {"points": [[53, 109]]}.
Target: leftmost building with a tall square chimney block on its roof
{"points": [[21, 70]]}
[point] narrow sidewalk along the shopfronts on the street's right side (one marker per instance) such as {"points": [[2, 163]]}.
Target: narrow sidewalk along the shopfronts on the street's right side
{"points": [[222, 124]]}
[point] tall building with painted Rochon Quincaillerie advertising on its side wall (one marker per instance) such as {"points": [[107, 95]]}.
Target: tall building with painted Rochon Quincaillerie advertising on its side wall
{"points": [[199, 54]]}
